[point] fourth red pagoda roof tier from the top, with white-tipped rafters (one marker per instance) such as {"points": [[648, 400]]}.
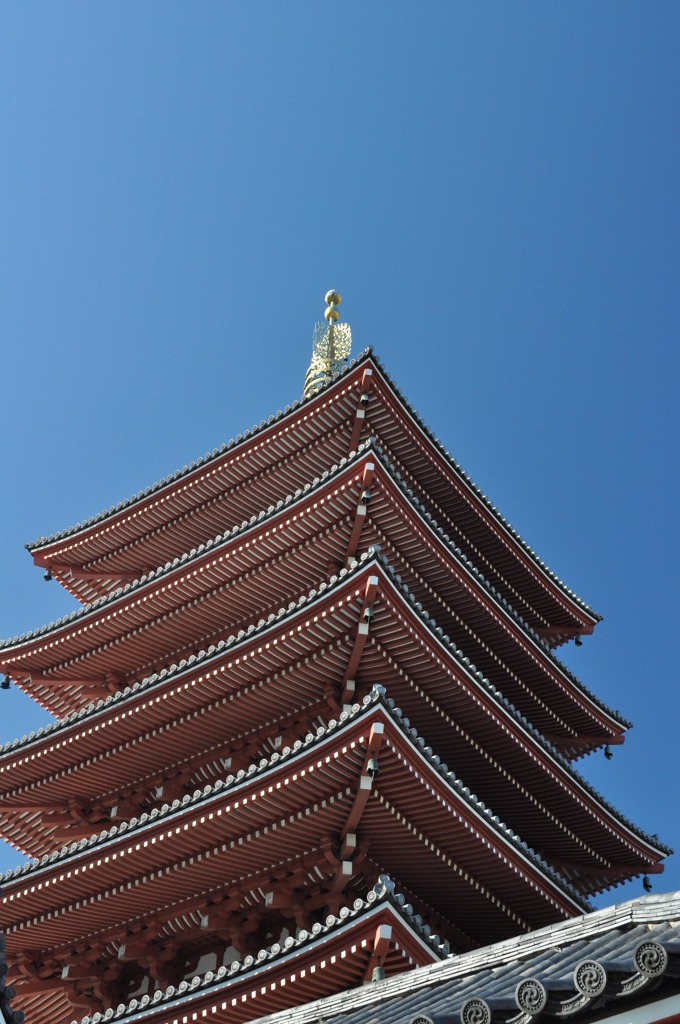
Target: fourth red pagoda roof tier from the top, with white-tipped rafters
{"points": [[324, 764]]}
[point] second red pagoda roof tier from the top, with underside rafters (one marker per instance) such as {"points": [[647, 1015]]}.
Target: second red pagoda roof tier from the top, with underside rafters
{"points": [[280, 556]]}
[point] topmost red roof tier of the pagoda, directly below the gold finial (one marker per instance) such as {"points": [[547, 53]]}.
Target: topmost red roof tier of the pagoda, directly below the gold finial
{"points": [[284, 453]]}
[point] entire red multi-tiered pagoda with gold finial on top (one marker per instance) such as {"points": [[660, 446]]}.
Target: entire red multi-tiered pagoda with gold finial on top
{"points": [[311, 729]]}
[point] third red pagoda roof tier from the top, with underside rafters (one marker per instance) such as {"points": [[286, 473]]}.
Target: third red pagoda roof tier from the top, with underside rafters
{"points": [[276, 681]]}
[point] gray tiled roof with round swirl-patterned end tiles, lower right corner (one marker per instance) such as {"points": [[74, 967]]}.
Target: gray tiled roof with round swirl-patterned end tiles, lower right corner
{"points": [[621, 952]]}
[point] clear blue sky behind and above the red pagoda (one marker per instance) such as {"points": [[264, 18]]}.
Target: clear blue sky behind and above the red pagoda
{"points": [[493, 189]]}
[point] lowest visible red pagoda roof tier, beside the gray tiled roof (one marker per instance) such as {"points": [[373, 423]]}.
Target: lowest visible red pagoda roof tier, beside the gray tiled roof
{"points": [[334, 956]]}
